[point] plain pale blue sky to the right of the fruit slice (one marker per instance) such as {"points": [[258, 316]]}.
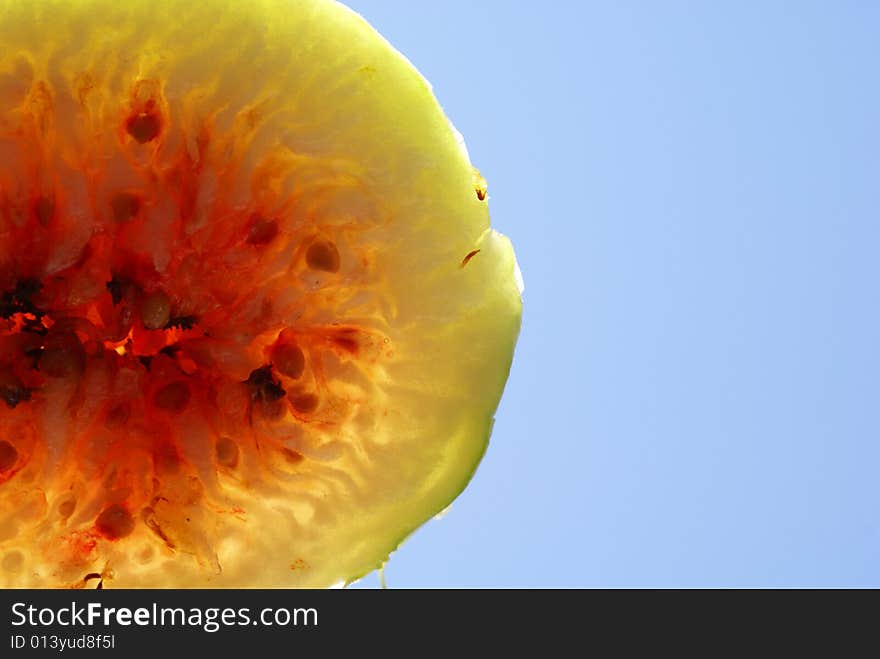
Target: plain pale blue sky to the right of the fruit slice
{"points": [[692, 189]]}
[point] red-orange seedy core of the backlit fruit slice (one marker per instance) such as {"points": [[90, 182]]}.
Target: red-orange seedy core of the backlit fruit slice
{"points": [[152, 330]]}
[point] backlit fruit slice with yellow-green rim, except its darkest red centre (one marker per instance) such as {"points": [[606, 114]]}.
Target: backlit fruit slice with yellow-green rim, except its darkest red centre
{"points": [[300, 110]]}
